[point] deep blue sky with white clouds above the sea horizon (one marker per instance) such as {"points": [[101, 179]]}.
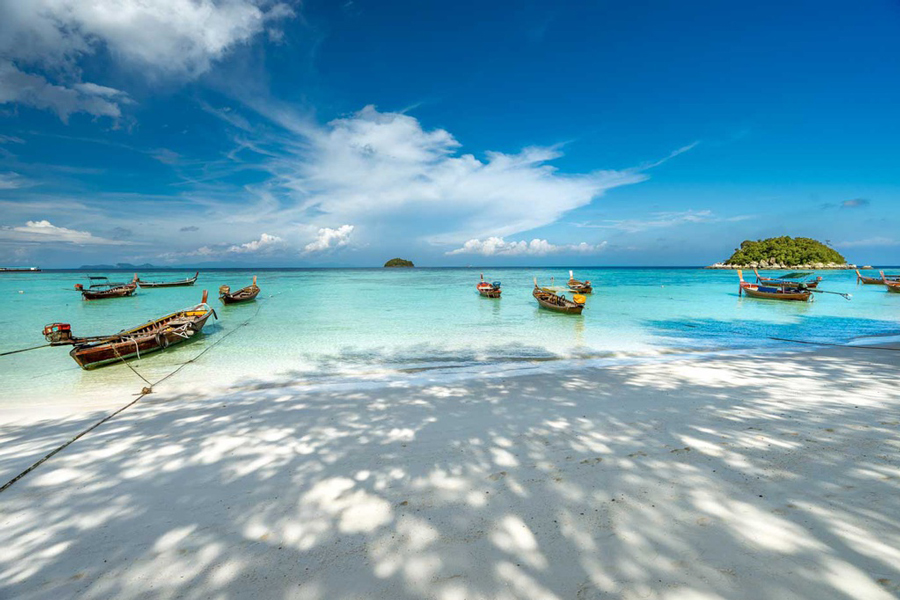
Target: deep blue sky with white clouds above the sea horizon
{"points": [[281, 133]]}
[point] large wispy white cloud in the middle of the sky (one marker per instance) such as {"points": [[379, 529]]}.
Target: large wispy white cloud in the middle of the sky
{"points": [[378, 168]]}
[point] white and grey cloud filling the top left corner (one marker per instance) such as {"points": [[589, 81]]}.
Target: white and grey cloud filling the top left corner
{"points": [[164, 38]]}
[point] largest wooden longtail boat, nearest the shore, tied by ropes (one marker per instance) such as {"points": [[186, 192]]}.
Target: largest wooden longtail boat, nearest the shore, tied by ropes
{"points": [[152, 336]]}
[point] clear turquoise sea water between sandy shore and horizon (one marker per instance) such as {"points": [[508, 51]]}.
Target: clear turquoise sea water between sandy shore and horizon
{"points": [[320, 324]]}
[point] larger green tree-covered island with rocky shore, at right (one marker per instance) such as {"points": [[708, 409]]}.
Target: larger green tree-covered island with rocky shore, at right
{"points": [[784, 253]]}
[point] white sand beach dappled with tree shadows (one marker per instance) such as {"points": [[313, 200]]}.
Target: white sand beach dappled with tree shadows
{"points": [[749, 477]]}
